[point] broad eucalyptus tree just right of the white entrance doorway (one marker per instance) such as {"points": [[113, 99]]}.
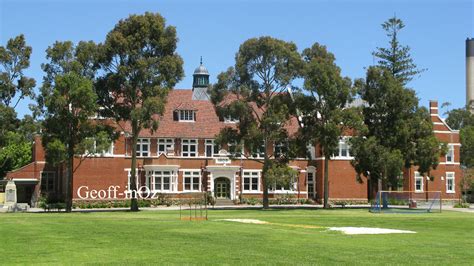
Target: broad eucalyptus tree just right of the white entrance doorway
{"points": [[255, 92]]}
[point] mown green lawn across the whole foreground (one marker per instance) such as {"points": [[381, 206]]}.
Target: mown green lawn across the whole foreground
{"points": [[160, 237]]}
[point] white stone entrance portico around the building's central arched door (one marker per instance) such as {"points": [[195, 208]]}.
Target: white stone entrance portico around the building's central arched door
{"points": [[220, 172]]}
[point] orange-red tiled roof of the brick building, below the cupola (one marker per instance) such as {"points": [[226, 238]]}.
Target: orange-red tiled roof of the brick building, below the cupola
{"points": [[207, 124]]}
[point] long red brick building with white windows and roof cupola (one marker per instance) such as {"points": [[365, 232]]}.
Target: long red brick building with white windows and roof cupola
{"points": [[181, 157]]}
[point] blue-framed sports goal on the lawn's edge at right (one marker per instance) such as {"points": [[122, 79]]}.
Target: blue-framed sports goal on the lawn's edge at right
{"points": [[407, 202]]}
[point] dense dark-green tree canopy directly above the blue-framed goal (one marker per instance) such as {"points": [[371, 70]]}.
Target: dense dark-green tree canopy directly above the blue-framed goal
{"points": [[399, 133]]}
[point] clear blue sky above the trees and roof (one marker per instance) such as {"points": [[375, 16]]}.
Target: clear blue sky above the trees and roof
{"points": [[435, 30]]}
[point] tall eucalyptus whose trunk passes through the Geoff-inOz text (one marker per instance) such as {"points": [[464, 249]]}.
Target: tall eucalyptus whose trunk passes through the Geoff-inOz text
{"points": [[140, 66]]}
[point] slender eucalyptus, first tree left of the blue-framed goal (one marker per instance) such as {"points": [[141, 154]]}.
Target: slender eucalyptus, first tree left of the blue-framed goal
{"points": [[321, 105]]}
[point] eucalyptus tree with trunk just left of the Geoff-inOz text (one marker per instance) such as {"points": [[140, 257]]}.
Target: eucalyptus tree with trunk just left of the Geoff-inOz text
{"points": [[68, 101]]}
